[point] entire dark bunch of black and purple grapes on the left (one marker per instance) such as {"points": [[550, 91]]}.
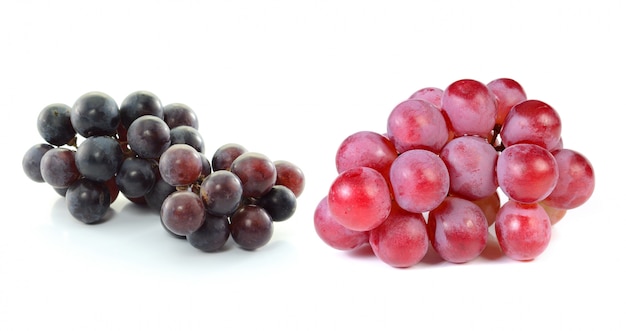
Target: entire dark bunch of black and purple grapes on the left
{"points": [[154, 155]]}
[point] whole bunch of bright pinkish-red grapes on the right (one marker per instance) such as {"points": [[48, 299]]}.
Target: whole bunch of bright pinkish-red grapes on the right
{"points": [[437, 175]]}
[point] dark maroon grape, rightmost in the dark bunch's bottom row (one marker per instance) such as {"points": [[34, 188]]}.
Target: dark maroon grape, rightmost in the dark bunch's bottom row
{"points": [[251, 227]]}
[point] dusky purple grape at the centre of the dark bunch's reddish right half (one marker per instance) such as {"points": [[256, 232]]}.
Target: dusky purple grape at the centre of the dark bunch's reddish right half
{"points": [[221, 192]]}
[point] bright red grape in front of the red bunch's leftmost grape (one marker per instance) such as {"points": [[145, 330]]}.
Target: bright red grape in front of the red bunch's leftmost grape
{"points": [[359, 199]]}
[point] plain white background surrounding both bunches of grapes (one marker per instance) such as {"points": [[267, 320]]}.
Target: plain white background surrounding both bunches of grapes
{"points": [[292, 79]]}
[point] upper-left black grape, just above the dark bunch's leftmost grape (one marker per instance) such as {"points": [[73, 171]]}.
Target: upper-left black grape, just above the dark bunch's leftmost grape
{"points": [[54, 124]]}
